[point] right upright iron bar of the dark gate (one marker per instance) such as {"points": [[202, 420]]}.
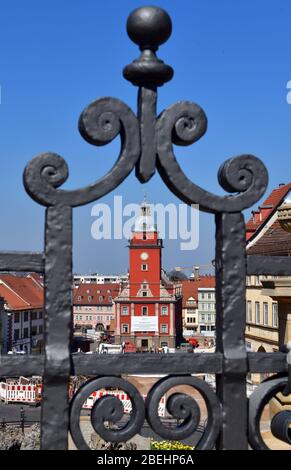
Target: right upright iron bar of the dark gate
{"points": [[230, 329]]}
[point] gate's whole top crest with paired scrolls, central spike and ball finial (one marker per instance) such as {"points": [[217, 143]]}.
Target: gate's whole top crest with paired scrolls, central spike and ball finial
{"points": [[147, 139]]}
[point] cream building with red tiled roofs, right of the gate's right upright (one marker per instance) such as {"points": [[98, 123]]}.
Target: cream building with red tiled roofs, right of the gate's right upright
{"points": [[265, 237]]}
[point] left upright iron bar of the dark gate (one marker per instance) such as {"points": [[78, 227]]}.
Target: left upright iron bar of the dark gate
{"points": [[58, 321]]}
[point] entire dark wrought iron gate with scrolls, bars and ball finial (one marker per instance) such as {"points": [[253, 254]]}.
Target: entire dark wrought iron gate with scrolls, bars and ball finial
{"points": [[146, 144]]}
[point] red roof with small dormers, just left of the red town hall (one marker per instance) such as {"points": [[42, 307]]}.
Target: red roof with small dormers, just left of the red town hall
{"points": [[91, 293]]}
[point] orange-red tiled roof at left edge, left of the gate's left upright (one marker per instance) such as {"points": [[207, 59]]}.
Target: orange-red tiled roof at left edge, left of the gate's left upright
{"points": [[21, 292]]}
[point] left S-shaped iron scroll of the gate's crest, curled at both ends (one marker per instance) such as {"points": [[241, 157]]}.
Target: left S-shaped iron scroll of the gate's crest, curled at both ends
{"points": [[100, 123]]}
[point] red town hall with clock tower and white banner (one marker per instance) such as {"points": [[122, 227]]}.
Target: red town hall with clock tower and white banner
{"points": [[149, 307]]}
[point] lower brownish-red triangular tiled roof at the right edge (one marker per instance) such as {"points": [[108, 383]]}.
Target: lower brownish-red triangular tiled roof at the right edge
{"points": [[275, 242]]}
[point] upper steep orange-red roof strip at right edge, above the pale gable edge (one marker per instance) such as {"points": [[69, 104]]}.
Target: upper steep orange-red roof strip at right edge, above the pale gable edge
{"points": [[268, 207]]}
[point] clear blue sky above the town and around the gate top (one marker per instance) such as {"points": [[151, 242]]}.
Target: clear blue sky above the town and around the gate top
{"points": [[232, 58]]}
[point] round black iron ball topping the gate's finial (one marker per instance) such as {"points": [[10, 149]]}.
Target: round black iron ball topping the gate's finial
{"points": [[149, 27]]}
